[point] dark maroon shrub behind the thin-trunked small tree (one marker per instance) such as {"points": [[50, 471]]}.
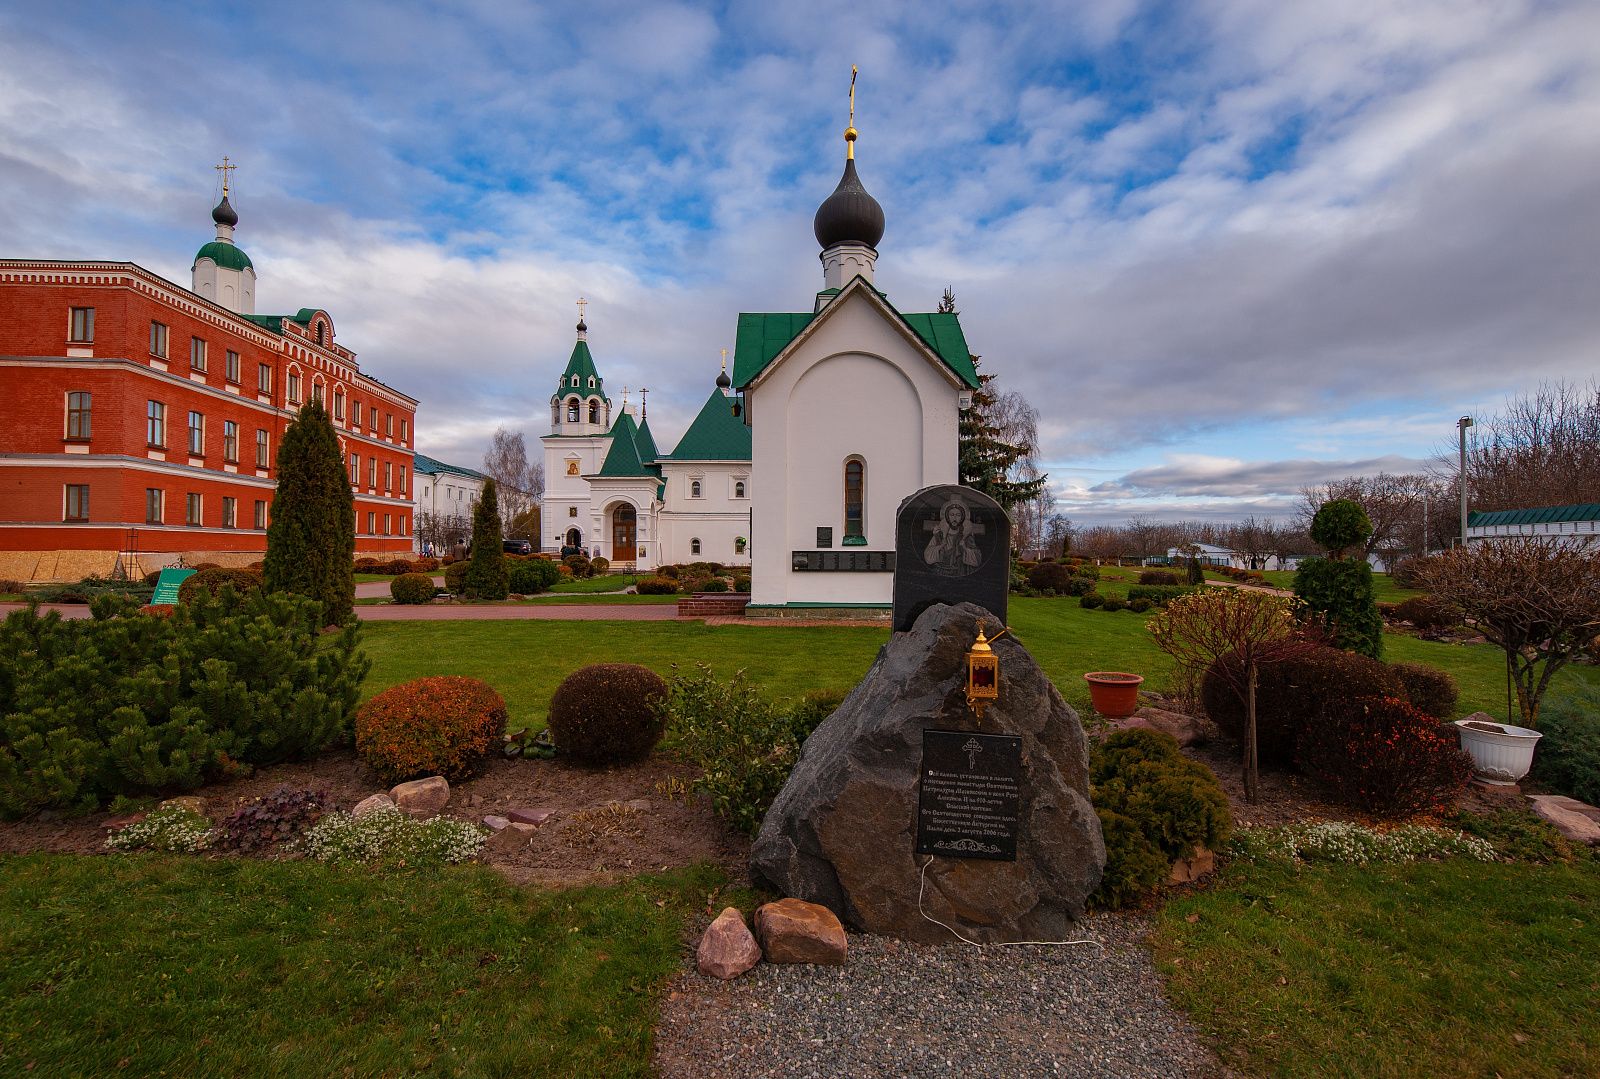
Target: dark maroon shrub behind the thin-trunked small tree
{"points": [[1292, 696]]}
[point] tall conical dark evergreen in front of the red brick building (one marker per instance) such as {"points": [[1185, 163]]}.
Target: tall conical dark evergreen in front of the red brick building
{"points": [[311, 544]]}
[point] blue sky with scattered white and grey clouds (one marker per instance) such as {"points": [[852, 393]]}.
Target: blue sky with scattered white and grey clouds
{"points": [[1226, 249]]}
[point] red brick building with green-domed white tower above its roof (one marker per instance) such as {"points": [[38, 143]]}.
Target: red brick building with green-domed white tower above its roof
{"points": [[140, 420]]}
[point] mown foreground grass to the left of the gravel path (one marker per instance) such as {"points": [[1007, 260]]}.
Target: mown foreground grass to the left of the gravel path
{"points": [[236, 968]]}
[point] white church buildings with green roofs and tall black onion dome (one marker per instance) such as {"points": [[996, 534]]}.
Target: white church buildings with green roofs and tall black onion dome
{"points": [[796, 467]]}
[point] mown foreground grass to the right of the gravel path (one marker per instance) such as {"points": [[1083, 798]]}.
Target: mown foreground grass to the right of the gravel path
{"points": [[1433, 969]]}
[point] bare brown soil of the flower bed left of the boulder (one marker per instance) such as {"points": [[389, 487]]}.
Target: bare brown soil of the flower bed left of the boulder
{"points": [[606, 824]]}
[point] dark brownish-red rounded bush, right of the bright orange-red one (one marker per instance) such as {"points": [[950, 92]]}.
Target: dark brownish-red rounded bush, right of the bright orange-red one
{"points": [[609, 713]]}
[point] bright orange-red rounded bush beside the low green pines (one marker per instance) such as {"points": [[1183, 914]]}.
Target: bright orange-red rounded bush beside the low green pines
{"points": [[446, 726]]}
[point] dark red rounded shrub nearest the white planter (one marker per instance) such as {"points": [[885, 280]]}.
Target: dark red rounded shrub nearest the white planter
{"points": [[1385, 756]]}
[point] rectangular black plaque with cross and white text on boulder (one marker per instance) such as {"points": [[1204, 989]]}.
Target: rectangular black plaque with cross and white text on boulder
{"points": [[969, 795]]}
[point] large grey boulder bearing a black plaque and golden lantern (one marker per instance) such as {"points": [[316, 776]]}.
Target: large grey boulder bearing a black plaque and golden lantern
{"points": [[844, 830]]}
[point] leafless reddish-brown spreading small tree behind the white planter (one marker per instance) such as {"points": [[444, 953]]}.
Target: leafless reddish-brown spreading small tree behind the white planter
{"points": [[1534, 596]]}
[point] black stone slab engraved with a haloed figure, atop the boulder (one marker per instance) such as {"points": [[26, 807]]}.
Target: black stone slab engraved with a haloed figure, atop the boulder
{"points": [[953, 545]]}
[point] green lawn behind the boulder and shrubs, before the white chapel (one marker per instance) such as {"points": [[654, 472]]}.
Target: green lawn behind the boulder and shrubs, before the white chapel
{"points": [[527, 660]]}
